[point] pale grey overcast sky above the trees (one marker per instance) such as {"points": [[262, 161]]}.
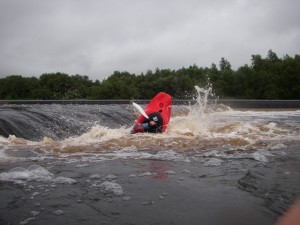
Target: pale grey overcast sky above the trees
{"points": [[97, 37]]}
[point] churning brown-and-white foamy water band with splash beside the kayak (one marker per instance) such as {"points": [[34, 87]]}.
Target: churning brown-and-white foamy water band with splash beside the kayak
{"points": [[198, 128]]}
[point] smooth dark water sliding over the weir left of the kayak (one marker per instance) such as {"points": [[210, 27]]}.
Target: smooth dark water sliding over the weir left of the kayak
{"points": [[33, 122]]}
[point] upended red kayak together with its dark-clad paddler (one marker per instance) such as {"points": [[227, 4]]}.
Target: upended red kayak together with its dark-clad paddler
{"points": [[158, 110]]}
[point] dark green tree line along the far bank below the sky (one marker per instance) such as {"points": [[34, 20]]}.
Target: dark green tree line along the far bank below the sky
{"points": [[266, 78]]}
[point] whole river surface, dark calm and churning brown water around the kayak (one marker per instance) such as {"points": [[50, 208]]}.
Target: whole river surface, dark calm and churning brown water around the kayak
{"points": [[213, 165]]}
